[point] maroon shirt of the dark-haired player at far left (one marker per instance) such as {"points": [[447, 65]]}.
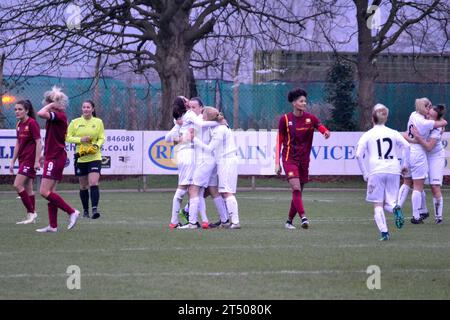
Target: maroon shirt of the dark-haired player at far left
{"points": [[27, 133]]}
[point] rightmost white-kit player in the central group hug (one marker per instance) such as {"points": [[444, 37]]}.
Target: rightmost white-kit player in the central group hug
{"points": [[224, 149]]}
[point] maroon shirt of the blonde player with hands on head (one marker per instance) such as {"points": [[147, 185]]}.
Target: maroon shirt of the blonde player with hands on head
{"points": [[55, 136]]}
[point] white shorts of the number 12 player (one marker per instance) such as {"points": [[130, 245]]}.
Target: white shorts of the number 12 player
{"points": [[383, 187]]}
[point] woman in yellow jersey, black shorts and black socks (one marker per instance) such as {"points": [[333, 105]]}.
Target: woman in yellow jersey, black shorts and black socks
{"points": [[88, 133]]}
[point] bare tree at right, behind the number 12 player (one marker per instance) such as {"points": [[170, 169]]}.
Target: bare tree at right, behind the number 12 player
{"points": [[422, 23]]}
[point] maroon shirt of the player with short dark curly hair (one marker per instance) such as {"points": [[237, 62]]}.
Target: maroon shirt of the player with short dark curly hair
{"points": [[296, 134]]}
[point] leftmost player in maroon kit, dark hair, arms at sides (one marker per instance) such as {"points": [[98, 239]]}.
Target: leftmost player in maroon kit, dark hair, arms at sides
{"points": [[27, 150]]}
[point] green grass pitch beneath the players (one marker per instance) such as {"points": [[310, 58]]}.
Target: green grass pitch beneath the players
{"points": [[130, 253]]}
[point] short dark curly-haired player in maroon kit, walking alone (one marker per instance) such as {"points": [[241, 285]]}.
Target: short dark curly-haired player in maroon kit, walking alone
{"points": [[294, 142]]}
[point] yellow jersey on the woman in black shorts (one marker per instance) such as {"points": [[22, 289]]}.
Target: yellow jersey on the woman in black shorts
{"points": [[80, 127]]}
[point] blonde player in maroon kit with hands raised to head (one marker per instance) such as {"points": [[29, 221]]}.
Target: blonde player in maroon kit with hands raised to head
{"points": [[55, 155]]}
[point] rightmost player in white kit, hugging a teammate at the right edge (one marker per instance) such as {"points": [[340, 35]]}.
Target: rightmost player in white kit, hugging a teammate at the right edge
{"points": [[436, 159]]}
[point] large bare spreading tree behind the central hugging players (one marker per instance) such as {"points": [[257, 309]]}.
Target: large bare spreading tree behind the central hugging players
{"points": [[157, 34]]}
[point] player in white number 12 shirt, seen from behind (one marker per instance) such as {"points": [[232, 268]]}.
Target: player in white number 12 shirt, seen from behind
{"points": [[383, 147]]}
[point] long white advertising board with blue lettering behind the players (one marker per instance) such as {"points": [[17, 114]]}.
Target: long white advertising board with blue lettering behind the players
{"points": [[146, 152]]}
